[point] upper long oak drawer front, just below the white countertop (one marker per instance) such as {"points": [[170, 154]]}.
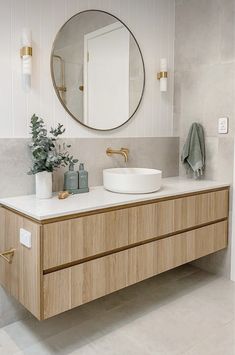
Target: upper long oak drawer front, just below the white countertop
{"points": [[85, 237]]}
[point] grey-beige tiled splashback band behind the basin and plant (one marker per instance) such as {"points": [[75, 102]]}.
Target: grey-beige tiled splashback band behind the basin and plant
{"points": [[15, 160]]}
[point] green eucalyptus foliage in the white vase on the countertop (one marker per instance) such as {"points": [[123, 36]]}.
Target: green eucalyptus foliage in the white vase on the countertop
{"points": [[47, 154]]}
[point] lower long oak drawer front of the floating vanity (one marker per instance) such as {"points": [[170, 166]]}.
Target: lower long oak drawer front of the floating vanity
{"points": [[76, 285]]}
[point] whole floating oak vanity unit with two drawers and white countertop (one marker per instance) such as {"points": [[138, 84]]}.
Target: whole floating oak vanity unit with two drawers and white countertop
{"points": [[73, 251]]}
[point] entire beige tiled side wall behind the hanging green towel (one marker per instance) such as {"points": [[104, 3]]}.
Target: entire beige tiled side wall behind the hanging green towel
{"points": [[205, 90]]}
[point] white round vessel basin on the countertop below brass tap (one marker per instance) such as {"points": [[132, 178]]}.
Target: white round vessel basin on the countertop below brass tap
{"points": [[132, 180]]}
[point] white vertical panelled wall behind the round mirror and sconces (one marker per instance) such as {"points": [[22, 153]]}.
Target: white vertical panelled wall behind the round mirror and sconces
{"points": [[151, 21]]}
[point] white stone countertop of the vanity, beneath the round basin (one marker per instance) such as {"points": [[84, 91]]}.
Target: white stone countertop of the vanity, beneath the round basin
{"points": [[99, 198]]}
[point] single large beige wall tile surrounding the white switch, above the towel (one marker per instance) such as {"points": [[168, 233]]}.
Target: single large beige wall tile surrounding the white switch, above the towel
{"points": [[204, 98]]}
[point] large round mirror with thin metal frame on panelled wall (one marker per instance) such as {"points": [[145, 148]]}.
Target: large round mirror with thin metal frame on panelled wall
{"points": [[97, 70]]}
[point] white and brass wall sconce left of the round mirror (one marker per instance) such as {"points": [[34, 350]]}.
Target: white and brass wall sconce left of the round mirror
{"points": [[26, 58]]}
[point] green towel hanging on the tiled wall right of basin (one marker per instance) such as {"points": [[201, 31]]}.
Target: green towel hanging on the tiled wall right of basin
{"points": [[193, 154]]}
